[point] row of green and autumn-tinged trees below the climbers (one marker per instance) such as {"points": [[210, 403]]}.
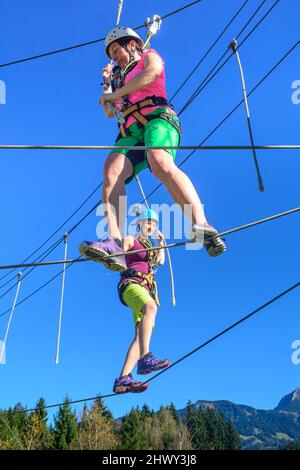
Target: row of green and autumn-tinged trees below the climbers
{"points": [[95, 428]]}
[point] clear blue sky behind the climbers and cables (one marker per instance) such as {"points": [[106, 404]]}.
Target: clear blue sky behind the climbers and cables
{"points": [[55, 101]]}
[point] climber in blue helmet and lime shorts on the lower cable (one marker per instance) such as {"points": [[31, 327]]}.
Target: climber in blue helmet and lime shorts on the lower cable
{"points": [[137, 290]]}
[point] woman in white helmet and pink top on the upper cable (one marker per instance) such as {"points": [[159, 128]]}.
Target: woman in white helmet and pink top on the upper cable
{"points": [[140, 99]]}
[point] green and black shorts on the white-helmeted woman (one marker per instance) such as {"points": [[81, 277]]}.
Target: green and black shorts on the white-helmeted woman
{"points": [[158, 132]]}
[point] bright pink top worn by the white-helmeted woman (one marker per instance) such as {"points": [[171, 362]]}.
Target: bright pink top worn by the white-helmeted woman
{"points": [[157, 88]]}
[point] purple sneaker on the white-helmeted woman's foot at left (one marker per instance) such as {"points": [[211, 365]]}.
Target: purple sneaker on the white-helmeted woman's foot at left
{"points": [[99, 250]]}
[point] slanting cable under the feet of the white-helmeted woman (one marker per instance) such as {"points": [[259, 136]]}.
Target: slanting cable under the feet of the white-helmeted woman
{"points": [[170, 245]]}
